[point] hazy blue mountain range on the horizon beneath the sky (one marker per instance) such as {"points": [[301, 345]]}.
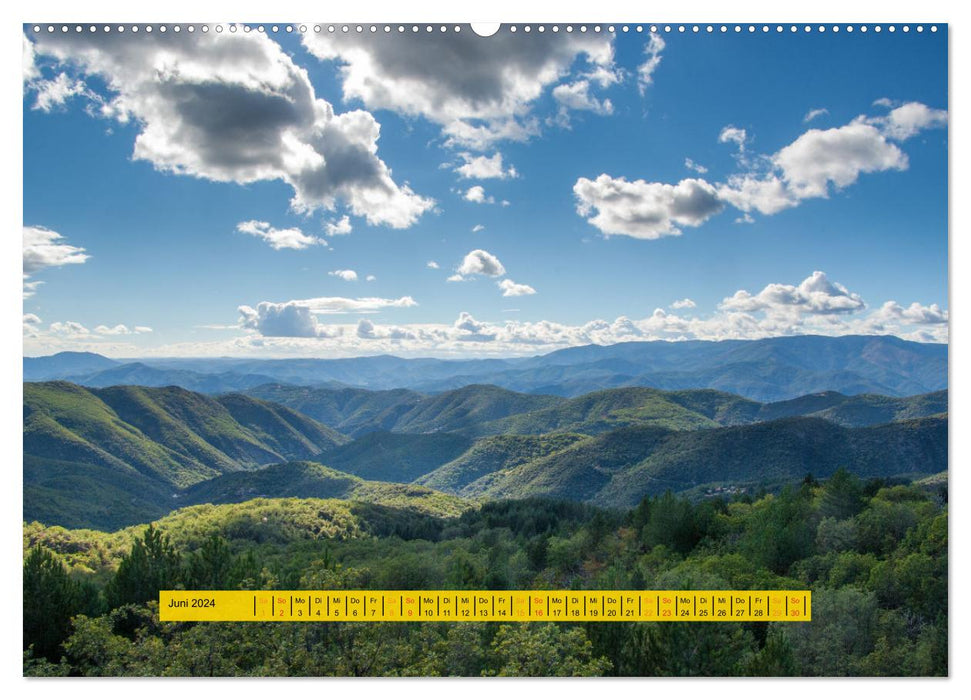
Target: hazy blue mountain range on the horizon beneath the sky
{"points": [[771, 369]]}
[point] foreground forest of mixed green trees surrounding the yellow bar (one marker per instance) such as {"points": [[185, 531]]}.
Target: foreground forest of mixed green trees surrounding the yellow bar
{"points": [[873, 553]]}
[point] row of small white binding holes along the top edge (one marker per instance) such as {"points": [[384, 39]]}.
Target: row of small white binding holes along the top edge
{"points": [[512, 28]]}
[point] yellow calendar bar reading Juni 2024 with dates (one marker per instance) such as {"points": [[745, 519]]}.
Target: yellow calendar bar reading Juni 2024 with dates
{"points": [[485, 606]]}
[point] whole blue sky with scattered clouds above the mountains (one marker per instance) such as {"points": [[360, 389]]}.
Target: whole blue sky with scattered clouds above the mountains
{"points": [[187, 195]]}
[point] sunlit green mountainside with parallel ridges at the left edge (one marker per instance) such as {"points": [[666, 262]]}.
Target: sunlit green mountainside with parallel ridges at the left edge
{"points": [[89, 452]]}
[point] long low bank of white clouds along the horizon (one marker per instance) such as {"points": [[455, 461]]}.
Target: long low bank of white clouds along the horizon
{"points": [[814, 306]]}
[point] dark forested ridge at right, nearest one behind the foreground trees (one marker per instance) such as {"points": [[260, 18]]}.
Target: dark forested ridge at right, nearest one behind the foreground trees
{"points": [[620, 467]]}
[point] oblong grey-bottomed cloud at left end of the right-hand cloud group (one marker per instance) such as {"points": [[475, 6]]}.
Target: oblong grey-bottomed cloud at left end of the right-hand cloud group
{"points": [[646, 210]]}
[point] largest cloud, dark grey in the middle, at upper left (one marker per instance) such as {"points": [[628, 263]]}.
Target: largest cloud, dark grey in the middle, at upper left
{"points": [[235, 108]]}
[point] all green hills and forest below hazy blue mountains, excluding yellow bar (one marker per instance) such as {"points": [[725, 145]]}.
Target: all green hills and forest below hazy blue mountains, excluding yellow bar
{"points": [[131, 489]]}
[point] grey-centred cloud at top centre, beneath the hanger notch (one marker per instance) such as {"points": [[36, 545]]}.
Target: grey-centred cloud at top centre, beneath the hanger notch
{"points": [[479, 90]]}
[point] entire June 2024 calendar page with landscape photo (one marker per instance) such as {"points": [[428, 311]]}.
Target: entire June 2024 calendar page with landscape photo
{"points": [[432, 349]]}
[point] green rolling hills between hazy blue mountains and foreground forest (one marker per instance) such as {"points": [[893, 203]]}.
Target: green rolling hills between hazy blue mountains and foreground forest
{"points": [[126, 454]]}
